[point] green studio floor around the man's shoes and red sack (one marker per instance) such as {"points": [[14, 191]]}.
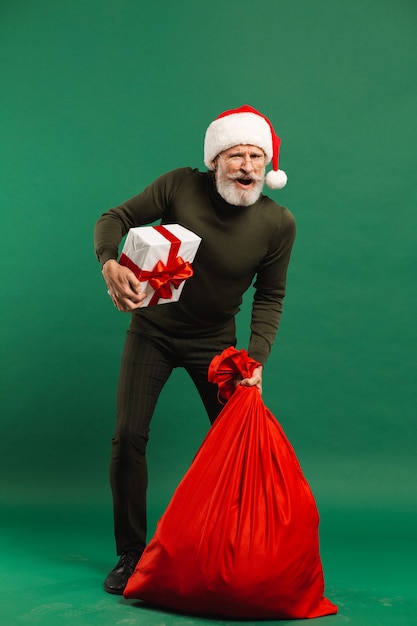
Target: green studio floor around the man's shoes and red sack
{"points": [[53, 562]]}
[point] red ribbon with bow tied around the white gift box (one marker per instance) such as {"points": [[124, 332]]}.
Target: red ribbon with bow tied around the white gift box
{"points": [[162, 276]]}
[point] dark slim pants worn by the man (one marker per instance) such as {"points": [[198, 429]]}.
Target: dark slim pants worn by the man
{"points": [[147, 363]]}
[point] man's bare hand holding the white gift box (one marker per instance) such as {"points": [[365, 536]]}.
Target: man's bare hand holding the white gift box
{"points": [[123, 286]]}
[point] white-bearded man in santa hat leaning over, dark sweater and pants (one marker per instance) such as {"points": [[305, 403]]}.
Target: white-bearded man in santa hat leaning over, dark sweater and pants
{"points": [[246, 237]]}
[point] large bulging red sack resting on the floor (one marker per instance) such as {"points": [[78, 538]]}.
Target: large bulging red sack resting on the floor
{"points": [[239, 538]]}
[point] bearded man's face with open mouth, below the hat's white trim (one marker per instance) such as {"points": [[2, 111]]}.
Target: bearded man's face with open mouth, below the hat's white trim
{"points": [[240, 173]]}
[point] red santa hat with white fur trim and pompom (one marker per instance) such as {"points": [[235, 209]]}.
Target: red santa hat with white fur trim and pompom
{"points": [[245, 126]]}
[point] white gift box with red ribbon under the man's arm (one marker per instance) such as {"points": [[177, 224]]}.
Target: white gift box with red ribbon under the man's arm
{"points": [[161, 258]]}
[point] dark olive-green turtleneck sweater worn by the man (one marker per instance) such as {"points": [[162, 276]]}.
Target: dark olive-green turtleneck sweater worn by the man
{"points": [[239, 245]]}
